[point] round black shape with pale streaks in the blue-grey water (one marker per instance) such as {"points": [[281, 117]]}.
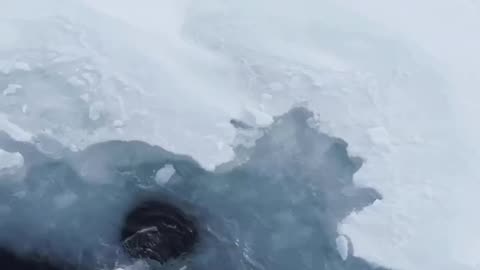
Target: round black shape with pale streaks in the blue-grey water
{"points": [[158, 231]]}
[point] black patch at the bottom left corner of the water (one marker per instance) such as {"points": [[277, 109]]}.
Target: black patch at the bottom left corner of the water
{"points": [[12, 261]]}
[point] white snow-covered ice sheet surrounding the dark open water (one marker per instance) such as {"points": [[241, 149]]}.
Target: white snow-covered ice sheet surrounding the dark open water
{"points": [[397, 80]]}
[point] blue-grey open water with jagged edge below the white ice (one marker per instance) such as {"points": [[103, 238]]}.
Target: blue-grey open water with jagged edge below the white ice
{"points": [[276, 207]]}
